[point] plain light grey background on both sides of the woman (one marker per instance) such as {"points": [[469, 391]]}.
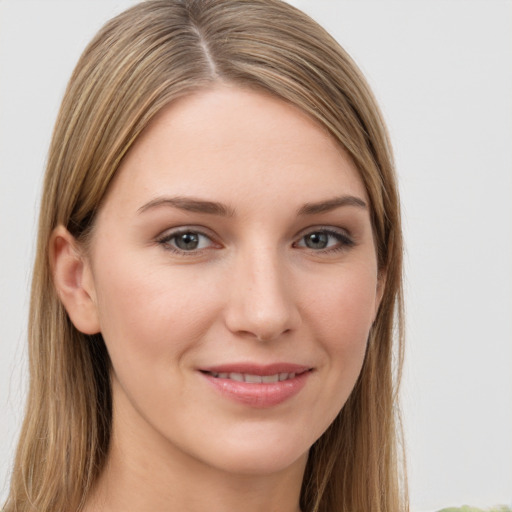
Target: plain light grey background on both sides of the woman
{"points": [[442, 71]]}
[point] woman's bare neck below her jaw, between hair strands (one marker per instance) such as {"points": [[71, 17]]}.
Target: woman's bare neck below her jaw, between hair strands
{"points": [[154, 476]]}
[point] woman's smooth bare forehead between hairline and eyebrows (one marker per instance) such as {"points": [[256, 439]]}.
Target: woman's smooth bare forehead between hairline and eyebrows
{"points": [[239, 145]]}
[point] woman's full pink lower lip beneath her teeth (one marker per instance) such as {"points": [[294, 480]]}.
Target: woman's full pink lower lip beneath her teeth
{"points": [[259, 395]]}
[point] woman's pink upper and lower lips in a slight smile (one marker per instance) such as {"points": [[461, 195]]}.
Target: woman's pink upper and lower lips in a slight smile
{"points": [[261, 394]]}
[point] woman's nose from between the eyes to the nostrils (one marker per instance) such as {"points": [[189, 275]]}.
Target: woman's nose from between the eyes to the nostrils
{"points": [[262, 304]]}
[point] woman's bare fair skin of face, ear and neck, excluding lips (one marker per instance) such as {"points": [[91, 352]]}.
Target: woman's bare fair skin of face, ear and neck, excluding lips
{"points": [[256, 289]]}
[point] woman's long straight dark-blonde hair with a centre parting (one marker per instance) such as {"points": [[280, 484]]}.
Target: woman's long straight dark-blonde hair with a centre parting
{"points": [[138, 63]]}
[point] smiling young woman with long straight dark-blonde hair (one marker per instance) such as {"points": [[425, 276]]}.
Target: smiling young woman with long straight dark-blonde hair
{"points": [[218, 275]]}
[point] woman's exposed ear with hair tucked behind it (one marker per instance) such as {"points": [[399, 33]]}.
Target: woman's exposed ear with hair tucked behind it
{"points": [[73, 281]]}
